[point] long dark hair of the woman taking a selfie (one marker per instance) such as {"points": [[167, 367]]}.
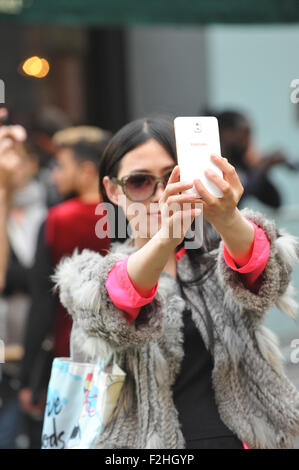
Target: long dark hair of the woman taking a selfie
{"points": [[161, 129]]}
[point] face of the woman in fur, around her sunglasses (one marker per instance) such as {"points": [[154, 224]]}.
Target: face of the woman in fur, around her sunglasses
{"points": [[152, 158]]}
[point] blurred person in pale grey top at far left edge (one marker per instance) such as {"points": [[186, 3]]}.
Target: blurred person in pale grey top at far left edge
{"points": [[26, 211]]}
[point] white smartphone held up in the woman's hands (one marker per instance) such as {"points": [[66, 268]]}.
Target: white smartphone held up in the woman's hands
{"points": [[197, 138]]}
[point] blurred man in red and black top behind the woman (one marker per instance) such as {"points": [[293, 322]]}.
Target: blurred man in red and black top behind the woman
{"points": [[69, 226]]}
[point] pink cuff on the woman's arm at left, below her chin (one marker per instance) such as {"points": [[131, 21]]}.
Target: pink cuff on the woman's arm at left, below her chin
{"points": [[123, 293]]}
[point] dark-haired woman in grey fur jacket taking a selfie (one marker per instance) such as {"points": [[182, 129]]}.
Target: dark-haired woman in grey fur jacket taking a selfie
{"points": [[186, 324]]}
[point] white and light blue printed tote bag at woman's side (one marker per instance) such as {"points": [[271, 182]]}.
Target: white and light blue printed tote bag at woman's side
{"points": [[80, 401]]}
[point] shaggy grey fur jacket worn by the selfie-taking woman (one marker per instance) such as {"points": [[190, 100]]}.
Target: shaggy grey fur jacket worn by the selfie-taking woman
{"points": [[255, 398]]}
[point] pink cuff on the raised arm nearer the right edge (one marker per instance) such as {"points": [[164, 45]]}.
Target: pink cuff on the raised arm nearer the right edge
{"points": [[257, 262]]}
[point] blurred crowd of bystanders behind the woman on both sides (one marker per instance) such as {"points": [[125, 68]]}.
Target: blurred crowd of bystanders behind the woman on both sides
{"points": [[49, 190]]}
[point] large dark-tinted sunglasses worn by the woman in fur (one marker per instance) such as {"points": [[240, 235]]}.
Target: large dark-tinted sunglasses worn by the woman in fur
{"points": [[139, 187]]}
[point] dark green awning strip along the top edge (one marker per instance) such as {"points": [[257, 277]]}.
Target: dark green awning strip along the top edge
{"points": [[126, 12]]}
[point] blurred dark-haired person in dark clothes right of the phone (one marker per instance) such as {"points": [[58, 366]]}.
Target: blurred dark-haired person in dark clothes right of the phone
{"points": [[252, 167]]}
